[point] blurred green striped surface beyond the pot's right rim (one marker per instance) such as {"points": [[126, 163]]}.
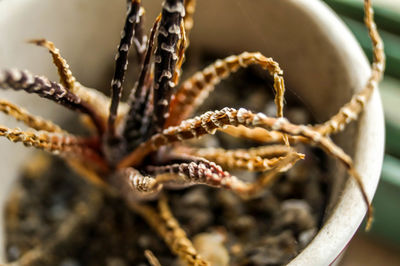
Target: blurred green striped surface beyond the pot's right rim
{"points": [[387, 198]]}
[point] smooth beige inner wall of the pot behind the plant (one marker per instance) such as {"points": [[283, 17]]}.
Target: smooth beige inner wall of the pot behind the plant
{"points": [[87, 33]]}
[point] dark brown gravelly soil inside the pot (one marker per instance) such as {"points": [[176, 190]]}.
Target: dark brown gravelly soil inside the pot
{"points": [[57, 218]]}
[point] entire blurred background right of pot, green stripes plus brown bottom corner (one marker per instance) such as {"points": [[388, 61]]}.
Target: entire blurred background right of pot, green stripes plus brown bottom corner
{"points": [[382, 244]]}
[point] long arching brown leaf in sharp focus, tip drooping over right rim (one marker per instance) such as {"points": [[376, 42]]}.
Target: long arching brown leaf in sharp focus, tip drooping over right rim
{"points": [[210, 122]]}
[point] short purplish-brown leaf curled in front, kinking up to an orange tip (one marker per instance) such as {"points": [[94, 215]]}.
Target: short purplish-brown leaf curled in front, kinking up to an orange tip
{"points": [[191, 171]]}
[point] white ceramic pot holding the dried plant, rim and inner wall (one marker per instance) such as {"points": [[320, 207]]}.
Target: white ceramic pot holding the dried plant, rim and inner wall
{"points": [[322, 62]]}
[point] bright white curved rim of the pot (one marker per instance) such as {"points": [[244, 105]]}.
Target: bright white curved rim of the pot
{"points": [[329, 244]]}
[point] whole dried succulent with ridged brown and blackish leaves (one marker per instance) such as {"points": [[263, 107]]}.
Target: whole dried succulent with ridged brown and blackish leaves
{"points": [[135, 149]]}
